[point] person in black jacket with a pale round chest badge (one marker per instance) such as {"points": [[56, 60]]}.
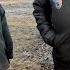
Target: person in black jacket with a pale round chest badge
{"points": [[53, 22]]}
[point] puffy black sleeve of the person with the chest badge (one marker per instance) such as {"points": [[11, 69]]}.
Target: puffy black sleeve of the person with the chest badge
{"points": [[42, 13]]}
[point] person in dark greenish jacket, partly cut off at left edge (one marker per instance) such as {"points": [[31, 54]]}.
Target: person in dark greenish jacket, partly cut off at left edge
{"points": [[6, 44]]}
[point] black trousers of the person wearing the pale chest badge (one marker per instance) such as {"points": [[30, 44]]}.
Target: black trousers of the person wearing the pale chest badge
{"points": [[60, 65]]}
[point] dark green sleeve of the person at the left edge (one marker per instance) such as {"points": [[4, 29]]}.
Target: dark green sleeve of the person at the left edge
{"points": [[7, 36]]}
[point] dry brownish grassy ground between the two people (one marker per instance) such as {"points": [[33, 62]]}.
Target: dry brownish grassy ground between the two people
{"points": [[30, 52]]}
